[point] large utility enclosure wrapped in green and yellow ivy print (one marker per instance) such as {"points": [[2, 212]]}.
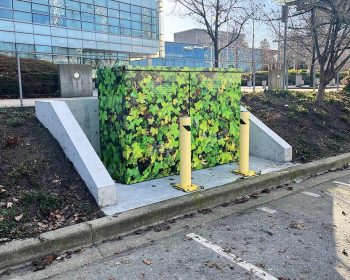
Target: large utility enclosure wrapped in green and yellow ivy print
{"points": [[139, 110]]}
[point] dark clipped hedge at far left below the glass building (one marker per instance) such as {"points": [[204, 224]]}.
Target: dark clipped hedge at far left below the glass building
{"points": [[39, 78]]}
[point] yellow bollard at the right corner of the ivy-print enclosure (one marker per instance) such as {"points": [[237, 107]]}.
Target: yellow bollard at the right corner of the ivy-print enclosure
{"points": [[244, 146]]}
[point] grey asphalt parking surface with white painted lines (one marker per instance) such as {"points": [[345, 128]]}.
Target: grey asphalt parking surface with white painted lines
{"points": [[303, 235]]}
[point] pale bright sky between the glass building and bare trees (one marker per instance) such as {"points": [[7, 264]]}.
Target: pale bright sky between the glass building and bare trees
{"points": [[174, 23]]}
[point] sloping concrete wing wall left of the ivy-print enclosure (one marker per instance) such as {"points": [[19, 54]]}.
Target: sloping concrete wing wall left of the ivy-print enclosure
{"points": [[59, 120]]}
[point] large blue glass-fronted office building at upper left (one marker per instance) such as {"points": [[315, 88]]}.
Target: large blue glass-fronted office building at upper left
{"points": [[80, 31]]}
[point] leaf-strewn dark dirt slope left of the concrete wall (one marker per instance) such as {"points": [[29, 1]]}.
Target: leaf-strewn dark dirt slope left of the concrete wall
{"points": [[39, 187]]}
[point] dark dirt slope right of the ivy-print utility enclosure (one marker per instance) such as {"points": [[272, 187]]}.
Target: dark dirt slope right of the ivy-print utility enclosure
{"points": [[314, 131]]}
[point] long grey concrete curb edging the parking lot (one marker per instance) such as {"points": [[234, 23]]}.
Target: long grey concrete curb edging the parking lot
{"points": [[88, 233]]}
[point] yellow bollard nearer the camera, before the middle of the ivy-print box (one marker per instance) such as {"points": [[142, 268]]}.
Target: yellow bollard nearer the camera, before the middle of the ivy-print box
{"points": [[185, 156]]}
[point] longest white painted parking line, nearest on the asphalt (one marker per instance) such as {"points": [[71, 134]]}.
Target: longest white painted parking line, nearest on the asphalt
{"points": [[236, 260]]}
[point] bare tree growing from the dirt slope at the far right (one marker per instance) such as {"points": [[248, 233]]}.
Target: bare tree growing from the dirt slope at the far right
{"points": [[330, 31]]}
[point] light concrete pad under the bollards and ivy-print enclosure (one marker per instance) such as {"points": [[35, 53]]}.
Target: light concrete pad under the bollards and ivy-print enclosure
{"points": [[145, 193]]}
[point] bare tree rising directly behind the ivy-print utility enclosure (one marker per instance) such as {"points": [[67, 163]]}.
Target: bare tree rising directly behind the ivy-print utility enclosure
{"points": [[221, 19]]}
